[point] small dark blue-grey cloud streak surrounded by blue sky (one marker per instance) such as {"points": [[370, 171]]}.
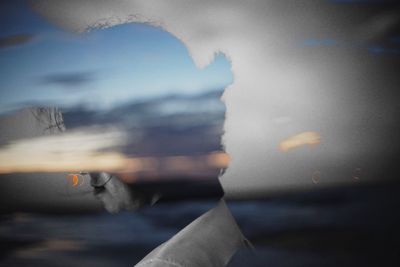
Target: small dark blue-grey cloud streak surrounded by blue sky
{"points": [[69, 80]]}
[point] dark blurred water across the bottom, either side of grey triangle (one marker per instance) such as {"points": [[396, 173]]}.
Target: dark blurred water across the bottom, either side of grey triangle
{"points": [[353, 226]]}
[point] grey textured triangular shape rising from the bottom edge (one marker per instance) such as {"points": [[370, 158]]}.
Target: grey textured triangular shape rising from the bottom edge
{"points": [[210, 240]]}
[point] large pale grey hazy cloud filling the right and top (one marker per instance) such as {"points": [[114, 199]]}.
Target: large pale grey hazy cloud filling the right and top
{"points": [[352, 101]]}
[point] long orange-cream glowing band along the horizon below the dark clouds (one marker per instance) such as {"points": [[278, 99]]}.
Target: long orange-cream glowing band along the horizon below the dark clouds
{"points": [[36, 155]]}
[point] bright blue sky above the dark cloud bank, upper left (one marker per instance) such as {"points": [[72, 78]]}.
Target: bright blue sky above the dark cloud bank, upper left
{"points": [[102, 68]]}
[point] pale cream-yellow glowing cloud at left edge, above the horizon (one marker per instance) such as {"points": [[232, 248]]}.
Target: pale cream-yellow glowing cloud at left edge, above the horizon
{"points": [[83, 149]]}
